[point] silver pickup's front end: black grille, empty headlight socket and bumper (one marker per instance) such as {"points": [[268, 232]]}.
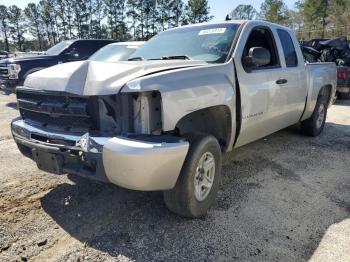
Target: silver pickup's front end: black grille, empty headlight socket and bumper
{"points": [[115, 138]]}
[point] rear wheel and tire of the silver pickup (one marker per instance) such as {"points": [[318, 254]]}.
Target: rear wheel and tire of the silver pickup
{"points": [[315, 124]]}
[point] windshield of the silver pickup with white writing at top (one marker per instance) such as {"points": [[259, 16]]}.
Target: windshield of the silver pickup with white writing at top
{"points": [[210, 43]]}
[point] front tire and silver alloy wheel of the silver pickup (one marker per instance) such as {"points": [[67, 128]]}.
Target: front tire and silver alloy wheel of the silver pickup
{"points": [[183, 199]]}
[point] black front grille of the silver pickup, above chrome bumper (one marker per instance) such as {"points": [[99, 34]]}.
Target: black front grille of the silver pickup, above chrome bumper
{"points": [[56, 110]]}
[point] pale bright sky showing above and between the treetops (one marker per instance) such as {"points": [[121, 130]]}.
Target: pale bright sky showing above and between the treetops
{"points": [[218, 8]]}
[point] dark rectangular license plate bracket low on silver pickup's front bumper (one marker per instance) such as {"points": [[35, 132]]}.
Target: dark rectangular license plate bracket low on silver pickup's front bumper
{"points": [[48, 162]]}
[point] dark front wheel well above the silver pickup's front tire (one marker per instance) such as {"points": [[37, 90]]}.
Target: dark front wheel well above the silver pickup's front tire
{"points": [[215, 121]]}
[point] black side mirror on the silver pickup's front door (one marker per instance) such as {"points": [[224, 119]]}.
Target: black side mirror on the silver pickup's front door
{"points": [[257, 56]]}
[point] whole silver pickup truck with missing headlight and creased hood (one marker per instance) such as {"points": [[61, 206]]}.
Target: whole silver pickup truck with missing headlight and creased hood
{"points": [[161, 121]]}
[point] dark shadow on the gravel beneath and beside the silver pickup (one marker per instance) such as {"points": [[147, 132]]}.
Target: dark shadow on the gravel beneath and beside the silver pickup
{"points": [[269, 207]]}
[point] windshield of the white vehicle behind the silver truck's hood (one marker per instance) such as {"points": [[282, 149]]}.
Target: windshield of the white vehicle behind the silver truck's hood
{"points": [[114, 53]]}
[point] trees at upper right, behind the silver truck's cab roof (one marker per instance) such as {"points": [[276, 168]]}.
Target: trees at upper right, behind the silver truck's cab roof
{"points": [[309, 18]]}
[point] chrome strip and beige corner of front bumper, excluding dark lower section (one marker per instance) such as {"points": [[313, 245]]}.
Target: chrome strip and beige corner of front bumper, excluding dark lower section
{"points": [[128, 163]]}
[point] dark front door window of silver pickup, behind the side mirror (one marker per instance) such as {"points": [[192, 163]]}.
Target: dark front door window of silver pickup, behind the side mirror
{"points": [[263, 37]]}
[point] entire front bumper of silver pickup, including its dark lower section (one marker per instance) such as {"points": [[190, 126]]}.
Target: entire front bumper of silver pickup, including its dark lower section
{"points": [[133, 164]]}
